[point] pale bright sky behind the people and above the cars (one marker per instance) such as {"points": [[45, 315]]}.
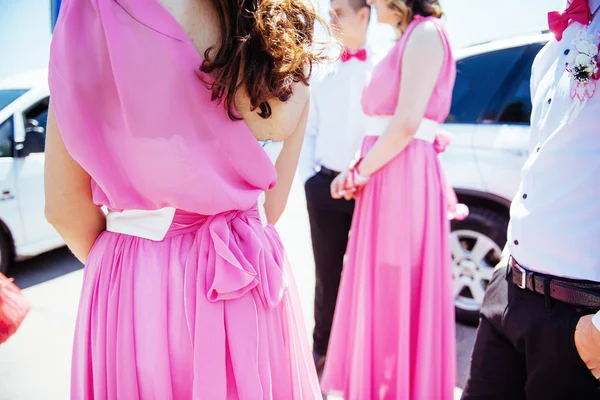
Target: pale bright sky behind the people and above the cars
{"points": [[25, 26]]}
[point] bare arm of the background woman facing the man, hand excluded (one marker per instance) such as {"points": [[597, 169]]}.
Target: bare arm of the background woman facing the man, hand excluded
{"points": [[421, 65]]}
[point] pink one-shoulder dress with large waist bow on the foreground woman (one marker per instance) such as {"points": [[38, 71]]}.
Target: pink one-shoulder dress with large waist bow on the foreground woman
{"points": [[187, 295]]}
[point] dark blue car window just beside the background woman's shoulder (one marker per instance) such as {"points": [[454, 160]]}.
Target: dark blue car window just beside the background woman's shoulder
{"points": [[477, 82]]}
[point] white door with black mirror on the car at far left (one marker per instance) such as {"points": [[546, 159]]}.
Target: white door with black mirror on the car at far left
{"points": [[30, 174]]}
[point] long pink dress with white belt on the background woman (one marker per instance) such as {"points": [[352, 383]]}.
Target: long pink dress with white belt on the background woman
{"points": [[393, 334]]}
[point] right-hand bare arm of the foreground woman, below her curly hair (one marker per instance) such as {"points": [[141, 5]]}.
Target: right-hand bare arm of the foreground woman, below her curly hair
{"points": [[286, 165]]}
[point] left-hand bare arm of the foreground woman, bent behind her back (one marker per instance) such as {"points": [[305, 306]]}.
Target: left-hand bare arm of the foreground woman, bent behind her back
{"points": [[69, 205]]}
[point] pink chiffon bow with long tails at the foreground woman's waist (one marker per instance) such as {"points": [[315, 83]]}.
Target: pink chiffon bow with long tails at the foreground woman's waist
{"points": [[232, 255]]}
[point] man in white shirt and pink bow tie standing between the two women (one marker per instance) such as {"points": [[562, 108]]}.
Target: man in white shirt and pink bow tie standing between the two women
{"points": [[333, 136]]}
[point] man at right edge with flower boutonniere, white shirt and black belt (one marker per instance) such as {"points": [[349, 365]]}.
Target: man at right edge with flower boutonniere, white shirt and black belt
{"points": [[538, 336]]}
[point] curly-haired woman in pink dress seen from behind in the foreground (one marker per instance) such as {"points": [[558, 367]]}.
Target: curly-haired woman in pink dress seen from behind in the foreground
{"points": [[187, 293]]}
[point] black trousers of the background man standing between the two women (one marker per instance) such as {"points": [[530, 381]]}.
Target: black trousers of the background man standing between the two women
{"points": [[330, 221]]}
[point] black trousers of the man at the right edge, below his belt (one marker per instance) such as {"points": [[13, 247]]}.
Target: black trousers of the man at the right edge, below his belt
{"points": [[525, 347]]}
